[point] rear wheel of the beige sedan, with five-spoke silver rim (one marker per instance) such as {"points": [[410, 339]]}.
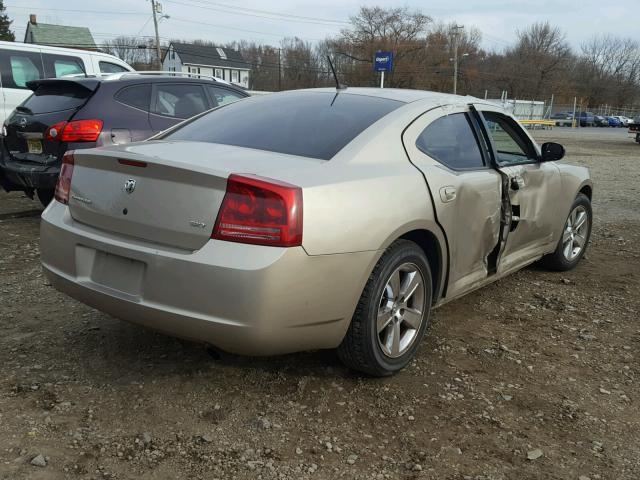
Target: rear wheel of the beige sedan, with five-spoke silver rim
{"points": [[392, 314]]}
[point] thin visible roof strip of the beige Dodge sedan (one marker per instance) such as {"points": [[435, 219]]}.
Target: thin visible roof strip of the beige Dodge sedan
{"points": [[403, 95]]}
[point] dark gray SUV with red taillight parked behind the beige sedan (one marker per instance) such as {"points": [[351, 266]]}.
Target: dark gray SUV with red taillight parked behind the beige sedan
{"points": [[75, 113]]}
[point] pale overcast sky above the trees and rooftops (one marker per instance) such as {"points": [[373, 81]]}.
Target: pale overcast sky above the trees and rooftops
{"points": [[498, 20]]}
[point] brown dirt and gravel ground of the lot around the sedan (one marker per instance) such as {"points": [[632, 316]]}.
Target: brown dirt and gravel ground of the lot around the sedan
{"points": [[535, 376]]}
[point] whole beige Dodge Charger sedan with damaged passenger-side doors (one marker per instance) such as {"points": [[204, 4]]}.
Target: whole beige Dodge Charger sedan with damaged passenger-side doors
{"points": [[313, 219]]}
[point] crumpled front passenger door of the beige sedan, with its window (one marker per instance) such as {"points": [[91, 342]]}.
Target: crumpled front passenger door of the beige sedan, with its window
{"points": [[531, 187]]}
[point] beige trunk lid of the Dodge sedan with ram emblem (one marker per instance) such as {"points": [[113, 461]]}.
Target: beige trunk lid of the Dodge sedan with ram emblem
{"points": [[166, 193]]}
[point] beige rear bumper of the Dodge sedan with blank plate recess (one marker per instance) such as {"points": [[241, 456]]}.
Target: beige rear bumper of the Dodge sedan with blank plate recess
{"points": [[243, 299]]}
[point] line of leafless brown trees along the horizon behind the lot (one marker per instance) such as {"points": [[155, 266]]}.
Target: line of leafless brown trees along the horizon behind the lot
{"points": [[540, 63]]}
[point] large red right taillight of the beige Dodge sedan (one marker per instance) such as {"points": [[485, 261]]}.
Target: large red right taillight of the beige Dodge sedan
{"points": [[260, 211]]}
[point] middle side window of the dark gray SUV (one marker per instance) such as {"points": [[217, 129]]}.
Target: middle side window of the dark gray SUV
{"points": [[179, 101]]}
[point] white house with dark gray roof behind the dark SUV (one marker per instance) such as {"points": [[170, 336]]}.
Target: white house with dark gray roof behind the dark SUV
{"points": [[218, 62]]}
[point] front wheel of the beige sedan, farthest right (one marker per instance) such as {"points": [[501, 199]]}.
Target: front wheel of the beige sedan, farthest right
{"points": [[575, 237]]}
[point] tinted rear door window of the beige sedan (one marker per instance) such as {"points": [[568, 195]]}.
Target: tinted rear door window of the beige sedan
{"points": [[451, 141]]}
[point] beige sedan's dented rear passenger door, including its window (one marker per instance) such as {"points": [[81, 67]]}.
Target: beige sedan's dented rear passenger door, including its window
{"points": [[445, 144]]}
